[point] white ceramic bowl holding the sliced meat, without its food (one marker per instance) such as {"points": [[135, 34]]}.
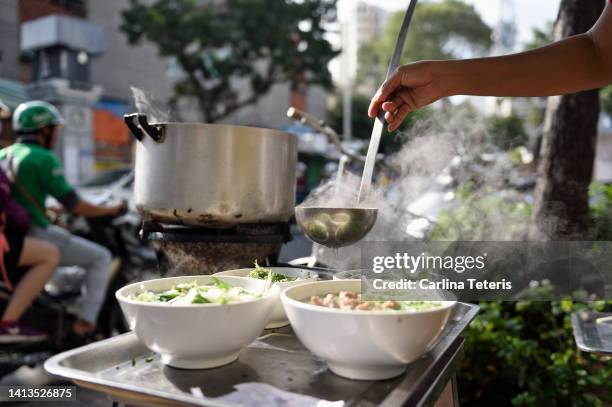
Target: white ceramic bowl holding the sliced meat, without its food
{"points": [[362, 345]]}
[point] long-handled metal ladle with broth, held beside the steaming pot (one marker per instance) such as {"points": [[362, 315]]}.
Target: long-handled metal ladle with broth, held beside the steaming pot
{"points": [[338, 227]]}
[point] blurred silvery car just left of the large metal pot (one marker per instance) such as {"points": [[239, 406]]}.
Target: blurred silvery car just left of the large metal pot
{"points": [[109, 186]]}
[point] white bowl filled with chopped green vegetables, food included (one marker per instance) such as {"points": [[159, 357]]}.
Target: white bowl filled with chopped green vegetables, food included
{"points": [[197, 322]]}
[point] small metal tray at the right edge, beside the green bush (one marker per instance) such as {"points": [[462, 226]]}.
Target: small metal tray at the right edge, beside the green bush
{"points": [[590, 335]]}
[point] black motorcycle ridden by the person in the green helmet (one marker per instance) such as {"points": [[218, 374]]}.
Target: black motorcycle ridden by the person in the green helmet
{"points": [[55, 309]]}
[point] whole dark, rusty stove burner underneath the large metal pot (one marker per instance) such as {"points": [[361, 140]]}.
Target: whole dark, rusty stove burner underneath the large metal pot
{"points": [[187, 250]]}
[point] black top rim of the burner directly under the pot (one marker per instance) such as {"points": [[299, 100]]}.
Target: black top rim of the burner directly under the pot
{"points": [[241, 233]]}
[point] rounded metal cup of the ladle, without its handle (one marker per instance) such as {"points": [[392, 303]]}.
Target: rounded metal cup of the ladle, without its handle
{"points": [[335, 227]]}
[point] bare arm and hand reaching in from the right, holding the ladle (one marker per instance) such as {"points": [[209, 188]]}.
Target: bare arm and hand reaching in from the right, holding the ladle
{"points": [[574, 64]]}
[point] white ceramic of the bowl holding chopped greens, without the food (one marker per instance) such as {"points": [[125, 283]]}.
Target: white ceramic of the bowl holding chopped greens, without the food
{"points": [[197, 336]]}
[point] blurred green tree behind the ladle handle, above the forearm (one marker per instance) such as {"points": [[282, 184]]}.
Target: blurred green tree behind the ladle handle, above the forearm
{"points": [[440, 30]]}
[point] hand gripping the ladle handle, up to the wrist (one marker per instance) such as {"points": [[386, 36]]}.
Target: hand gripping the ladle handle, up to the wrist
{"points": [[408, 89]]}
